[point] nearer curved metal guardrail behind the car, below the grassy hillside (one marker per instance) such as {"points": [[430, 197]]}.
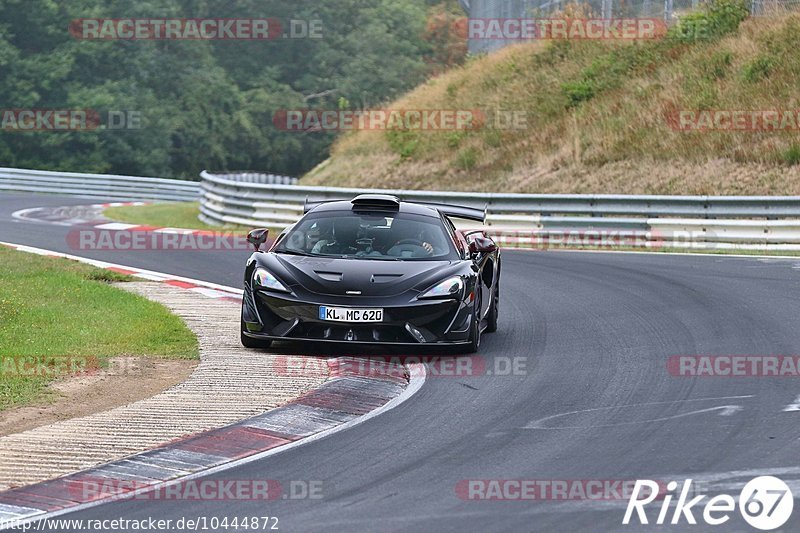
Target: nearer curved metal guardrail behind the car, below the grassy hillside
{"points": [[734, 222]]}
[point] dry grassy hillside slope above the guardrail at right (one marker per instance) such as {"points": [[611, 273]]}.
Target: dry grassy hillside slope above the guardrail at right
{"points": [[600, 119]]}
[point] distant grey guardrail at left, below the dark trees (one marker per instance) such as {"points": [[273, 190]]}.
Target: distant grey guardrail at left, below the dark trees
{"points": [[98, 185]]}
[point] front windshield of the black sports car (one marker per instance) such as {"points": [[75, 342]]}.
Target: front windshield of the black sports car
{"points": [[380, 236]]}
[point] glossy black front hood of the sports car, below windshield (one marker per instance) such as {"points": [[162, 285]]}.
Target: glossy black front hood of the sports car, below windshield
{"points": [[340, 277]]}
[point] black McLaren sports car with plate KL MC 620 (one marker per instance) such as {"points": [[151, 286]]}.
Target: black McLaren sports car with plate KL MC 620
{"points": [[373, 270]]}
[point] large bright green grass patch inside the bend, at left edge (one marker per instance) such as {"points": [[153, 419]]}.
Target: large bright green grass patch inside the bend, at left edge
{"points": [[59, 308]]}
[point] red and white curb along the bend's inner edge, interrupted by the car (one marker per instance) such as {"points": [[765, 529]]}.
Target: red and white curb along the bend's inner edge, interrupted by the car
{"points": [[347, 399]]}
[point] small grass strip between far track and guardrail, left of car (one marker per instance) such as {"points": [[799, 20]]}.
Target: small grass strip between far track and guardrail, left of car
{"points": [[169, 215]]}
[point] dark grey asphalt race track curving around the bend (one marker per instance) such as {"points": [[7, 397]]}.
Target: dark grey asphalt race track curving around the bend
{"points": [[596, 330]]}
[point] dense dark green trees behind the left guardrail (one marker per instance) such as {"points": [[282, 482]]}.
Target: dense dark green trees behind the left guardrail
{"points": [[204, 104]]}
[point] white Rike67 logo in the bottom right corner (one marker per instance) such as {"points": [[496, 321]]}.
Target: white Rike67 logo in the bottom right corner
{"points": [[765, 503]]}
